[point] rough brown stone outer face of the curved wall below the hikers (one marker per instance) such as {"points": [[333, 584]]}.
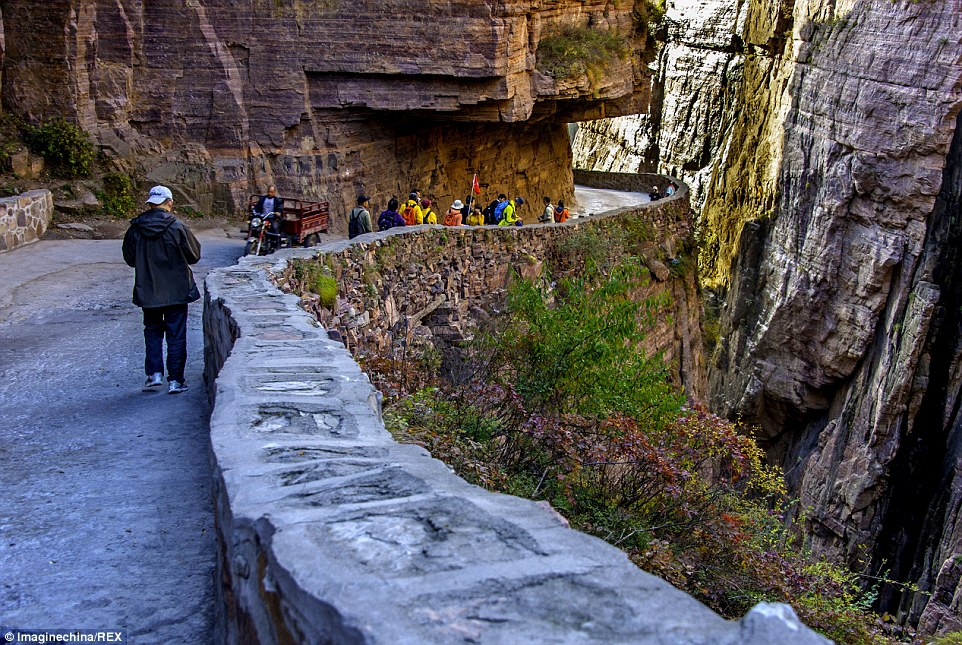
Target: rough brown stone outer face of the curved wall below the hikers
{"points": [[430, 287]]}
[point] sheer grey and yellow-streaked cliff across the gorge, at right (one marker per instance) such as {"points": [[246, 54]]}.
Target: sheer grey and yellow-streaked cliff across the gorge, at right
{"points": [[831, 222]]}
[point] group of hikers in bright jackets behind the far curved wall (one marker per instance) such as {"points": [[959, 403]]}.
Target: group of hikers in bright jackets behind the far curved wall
{"points": [[418, 210]]}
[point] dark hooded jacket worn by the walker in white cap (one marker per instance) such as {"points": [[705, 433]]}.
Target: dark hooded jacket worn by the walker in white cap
{"points": [[161, 248]]}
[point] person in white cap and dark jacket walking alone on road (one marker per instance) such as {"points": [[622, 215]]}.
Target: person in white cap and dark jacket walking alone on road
{"points": [[161, 250]]}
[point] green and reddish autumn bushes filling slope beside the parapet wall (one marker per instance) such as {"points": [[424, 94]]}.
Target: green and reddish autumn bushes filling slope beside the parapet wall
{"points": [[556, 402]]}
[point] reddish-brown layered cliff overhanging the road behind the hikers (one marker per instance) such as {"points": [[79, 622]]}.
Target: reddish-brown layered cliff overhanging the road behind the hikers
{"points": [[323, 98]]}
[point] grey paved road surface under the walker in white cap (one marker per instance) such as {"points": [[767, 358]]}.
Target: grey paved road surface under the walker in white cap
{"points": [[106, 518]]}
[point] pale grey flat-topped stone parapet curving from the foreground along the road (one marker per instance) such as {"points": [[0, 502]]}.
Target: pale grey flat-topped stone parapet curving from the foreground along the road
{"points": [[329, 531]]}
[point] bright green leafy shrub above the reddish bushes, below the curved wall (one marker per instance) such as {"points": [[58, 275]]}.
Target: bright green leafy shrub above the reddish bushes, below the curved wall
{"points": [[576, 348]]}
